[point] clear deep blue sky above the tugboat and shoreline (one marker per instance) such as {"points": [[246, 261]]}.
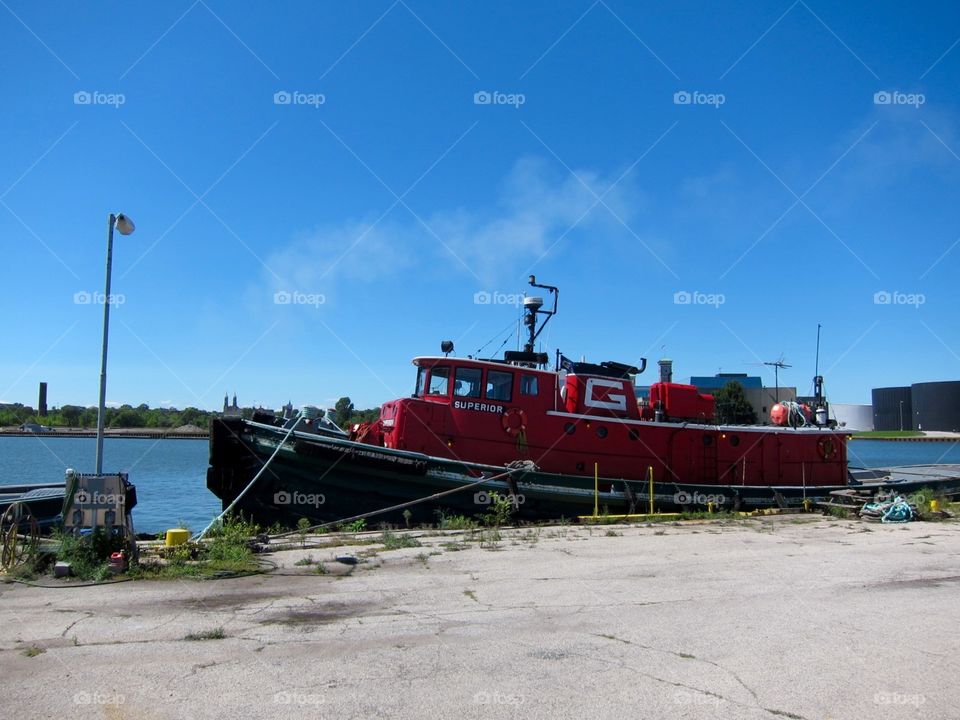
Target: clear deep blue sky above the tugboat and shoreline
{"points": [[736, 156]]}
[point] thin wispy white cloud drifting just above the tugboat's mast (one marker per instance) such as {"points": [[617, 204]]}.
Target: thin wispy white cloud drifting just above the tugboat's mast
{"points": [[536, 205]]}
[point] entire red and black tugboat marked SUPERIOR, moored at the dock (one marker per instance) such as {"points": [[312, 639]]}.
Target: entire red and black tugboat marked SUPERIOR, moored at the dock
{"points": [[559, 442]]}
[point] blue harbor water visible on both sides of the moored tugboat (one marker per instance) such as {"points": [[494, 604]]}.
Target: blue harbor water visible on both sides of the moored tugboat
{"points": [[170, 475]]}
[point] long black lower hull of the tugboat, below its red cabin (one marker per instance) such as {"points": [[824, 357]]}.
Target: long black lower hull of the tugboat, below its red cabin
{"points": [[326, 478]]}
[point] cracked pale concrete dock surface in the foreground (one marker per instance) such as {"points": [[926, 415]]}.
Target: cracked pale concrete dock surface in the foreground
{"points": [[779, 617]]}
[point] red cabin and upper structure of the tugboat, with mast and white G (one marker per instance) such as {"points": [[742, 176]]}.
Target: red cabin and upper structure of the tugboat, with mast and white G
{"points": [[497, 412]]}
